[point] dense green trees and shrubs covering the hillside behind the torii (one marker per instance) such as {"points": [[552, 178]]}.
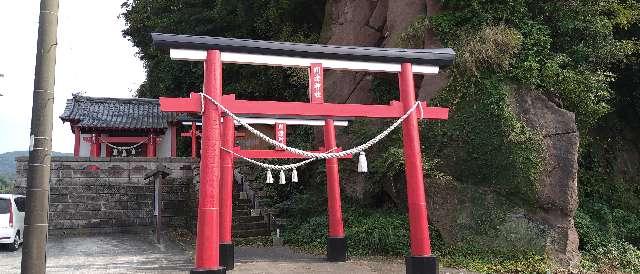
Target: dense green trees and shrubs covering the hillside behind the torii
{"points": [[582, 55]]}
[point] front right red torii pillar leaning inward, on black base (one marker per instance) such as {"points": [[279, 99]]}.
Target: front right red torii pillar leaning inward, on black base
{"points": [[420, 260]]}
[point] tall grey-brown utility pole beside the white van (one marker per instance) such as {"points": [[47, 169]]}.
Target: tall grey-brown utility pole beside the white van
{"points": [[36, 220]]}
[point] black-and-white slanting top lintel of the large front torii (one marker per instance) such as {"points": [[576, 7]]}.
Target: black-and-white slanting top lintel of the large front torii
{"points": [[256, 52]]}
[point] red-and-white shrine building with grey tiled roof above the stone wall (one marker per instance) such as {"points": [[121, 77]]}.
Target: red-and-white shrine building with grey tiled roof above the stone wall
{"points": [[120, 127]]}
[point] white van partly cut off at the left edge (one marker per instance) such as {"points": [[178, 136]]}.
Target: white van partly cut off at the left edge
{"points": [[12, 219]]}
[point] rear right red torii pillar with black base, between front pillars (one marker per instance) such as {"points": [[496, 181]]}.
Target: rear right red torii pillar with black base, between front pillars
{"points": [[336, 243]]}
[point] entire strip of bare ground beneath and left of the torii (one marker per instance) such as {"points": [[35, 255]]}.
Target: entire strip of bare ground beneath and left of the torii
{"points": [[138, 253]]}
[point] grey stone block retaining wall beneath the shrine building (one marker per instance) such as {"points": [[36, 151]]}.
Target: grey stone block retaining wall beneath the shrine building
{"points": [[116, 195]]}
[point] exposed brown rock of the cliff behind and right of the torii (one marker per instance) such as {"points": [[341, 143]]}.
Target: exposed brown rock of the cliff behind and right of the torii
{"points": [[388, 24]]}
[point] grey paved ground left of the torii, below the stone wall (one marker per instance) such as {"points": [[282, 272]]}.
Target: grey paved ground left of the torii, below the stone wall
{"points": [[110, 253]]}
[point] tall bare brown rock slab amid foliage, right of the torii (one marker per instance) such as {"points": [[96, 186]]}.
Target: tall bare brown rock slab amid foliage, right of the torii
{"points": [[557, 196]]}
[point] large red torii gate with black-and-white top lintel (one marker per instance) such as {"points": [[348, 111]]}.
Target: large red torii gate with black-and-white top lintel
{"points": [[219, 50]]}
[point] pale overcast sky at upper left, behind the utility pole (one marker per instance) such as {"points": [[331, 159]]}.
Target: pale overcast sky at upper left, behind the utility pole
{"points": [[92, 57]]}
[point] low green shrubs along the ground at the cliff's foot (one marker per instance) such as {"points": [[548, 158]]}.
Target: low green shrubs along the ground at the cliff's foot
{"points": [[385, 232]]}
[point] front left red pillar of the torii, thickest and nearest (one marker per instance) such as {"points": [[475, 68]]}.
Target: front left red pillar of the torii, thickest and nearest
{"points": [[207, 238]]}
